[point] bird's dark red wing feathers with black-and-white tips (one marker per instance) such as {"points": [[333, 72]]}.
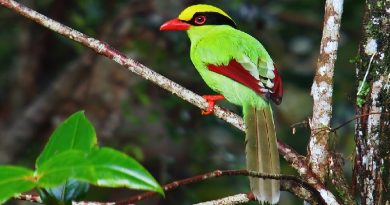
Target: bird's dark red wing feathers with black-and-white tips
{"points": [[264, 80]]}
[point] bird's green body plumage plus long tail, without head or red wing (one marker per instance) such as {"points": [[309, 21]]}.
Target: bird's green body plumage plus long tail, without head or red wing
{"points": [[218, 45]]}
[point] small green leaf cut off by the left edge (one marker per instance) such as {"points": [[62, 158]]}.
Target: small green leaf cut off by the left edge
{"points": [[14, 180]]}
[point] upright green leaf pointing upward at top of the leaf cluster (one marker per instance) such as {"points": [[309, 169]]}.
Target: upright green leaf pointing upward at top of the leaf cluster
{"points": [[75, 133]]}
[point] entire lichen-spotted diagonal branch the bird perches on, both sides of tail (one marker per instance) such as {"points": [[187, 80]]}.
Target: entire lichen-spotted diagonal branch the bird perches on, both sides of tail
{"points": [[297, 161]]}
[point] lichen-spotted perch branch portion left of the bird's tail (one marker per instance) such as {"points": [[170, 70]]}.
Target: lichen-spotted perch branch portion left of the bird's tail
{"points": [[134, 66]]}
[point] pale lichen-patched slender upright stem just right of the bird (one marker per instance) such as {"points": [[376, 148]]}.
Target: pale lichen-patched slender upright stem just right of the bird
{"points": [[322, 89]]}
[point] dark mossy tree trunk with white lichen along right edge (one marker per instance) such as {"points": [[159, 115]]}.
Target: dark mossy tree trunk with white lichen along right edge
{"points": [[372, 133]]}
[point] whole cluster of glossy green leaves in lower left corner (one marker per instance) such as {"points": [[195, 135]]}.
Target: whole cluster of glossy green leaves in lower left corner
{"points": [[70, 161]]}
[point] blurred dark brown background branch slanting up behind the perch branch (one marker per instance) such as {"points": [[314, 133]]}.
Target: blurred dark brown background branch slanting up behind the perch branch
{"points": [[20, 132]]}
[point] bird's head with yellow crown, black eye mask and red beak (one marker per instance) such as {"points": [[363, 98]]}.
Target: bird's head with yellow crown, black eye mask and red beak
{"points": [[198, 16]]}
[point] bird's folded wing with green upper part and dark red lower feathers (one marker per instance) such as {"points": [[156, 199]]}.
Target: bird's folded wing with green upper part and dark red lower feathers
{"points": [[242, 58]]}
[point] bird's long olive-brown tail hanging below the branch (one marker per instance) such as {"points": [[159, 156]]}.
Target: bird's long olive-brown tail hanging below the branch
{"points": [[261, 152]]}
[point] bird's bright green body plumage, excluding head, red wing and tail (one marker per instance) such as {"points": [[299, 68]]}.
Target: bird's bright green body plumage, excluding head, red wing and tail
{"points": [[218, 45]]}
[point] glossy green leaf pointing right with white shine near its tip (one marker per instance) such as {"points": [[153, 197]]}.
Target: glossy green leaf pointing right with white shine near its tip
{"points": [[102, 167]]}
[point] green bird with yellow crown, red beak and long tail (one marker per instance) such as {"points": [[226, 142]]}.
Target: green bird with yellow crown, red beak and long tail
{"points": [[237, 66]]}
